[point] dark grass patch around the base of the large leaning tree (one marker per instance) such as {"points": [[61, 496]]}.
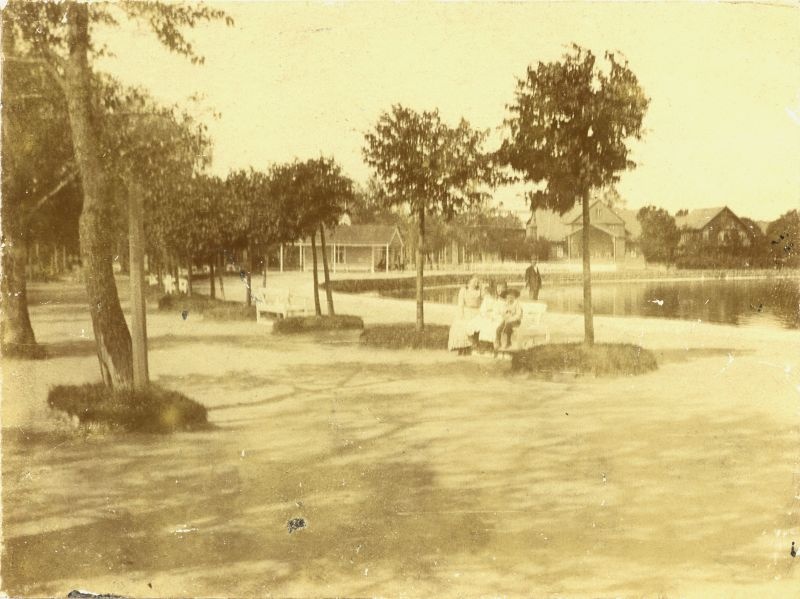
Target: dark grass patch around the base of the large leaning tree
{"points": [[153, 410]]}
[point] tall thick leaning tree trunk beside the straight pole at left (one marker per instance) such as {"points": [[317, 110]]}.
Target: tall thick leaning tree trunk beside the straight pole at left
{"points": [[96, 225]]}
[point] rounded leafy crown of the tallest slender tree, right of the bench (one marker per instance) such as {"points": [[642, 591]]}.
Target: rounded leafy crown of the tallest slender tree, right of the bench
{"points": [[569, 126]]}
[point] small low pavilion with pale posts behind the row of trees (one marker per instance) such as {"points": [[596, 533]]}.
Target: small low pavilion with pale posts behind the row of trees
{"points": [[358, 248]]}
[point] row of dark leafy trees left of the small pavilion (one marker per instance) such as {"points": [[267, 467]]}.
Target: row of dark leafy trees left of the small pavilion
{"points": [[207, 219]]}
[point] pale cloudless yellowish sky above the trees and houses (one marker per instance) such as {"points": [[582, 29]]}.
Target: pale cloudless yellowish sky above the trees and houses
{"points": [[297, 80]]}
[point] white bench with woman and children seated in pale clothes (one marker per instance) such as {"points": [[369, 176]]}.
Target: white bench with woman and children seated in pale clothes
{"points": [[491, 319]]}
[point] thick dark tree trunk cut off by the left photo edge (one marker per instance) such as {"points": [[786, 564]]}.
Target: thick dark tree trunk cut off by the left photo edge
{"points": [[16, 332]]}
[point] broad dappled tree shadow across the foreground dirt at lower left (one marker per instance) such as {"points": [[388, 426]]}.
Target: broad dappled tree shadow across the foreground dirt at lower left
{"points": [[215, 518]]}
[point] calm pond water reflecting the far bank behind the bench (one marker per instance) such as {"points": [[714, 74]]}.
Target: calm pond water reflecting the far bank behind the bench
{"points": [[774, 302]]}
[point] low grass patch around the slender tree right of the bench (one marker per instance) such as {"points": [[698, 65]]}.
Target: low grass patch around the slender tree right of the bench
{"points": [[601, 359]]}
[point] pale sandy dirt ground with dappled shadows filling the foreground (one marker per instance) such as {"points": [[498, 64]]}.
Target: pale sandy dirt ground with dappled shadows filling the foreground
{"points": [[417, 474]]}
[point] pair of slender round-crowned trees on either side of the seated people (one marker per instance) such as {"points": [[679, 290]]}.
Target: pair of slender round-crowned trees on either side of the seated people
{"points": [[567, 134]]}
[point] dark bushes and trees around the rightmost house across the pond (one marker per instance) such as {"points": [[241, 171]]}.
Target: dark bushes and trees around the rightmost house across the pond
{"points": [[775, 248]]}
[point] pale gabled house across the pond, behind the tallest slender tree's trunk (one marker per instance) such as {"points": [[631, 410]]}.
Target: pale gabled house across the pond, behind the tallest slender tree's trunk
{"points": [[613, 234]]}
